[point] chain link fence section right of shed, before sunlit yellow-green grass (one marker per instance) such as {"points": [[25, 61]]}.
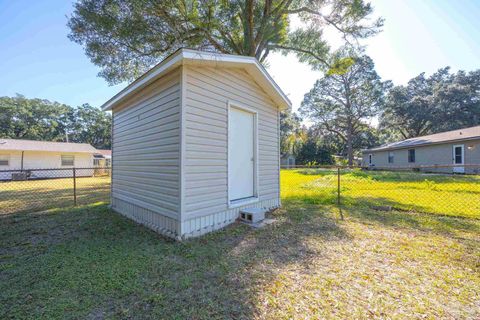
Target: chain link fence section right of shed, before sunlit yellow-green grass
{"points": [[446, 190]]}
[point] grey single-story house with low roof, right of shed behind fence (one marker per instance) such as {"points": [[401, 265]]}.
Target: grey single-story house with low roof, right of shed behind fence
{"points": [[459, 150]]}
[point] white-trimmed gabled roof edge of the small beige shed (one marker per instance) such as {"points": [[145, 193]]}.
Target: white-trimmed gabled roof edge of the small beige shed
{"points": [[200, 58]]}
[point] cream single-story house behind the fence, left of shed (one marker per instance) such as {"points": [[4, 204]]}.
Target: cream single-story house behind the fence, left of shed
{"points": [[26, 155]]}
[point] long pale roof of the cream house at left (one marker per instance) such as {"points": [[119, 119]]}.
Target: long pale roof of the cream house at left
{"points": [[32, 145]]}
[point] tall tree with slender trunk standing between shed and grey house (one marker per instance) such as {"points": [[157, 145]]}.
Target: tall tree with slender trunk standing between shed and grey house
{"points": [[345, 98]]}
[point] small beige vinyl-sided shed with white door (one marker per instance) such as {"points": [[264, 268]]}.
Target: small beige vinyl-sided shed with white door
{"points": [[195, 141]]}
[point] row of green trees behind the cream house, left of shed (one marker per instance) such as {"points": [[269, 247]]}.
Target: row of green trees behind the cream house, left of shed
{"points": [[39, 119]]}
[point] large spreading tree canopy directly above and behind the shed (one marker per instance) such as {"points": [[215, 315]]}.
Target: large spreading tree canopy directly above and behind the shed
{"points": [[126, 37]]}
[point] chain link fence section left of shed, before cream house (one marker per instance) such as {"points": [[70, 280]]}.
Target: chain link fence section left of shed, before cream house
{"points": [[42, 189]]}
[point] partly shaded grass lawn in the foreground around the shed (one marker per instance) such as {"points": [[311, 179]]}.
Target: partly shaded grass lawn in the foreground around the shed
{"points": [[91, 263]]}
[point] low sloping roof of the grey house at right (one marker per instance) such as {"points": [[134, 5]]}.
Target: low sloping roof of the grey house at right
{"points": [[442, 137]]}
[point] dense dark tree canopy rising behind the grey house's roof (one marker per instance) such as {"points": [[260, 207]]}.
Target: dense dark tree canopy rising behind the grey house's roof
{"points": [[444, 101]]}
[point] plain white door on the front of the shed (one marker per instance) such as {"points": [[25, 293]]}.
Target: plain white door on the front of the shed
{"points": [[241, 154]]}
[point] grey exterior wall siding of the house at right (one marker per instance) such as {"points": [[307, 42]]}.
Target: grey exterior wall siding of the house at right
{"points": [[439, 154]]}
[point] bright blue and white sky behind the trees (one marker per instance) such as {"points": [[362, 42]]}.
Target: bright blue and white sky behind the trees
{"points": [[39, 61]]}
